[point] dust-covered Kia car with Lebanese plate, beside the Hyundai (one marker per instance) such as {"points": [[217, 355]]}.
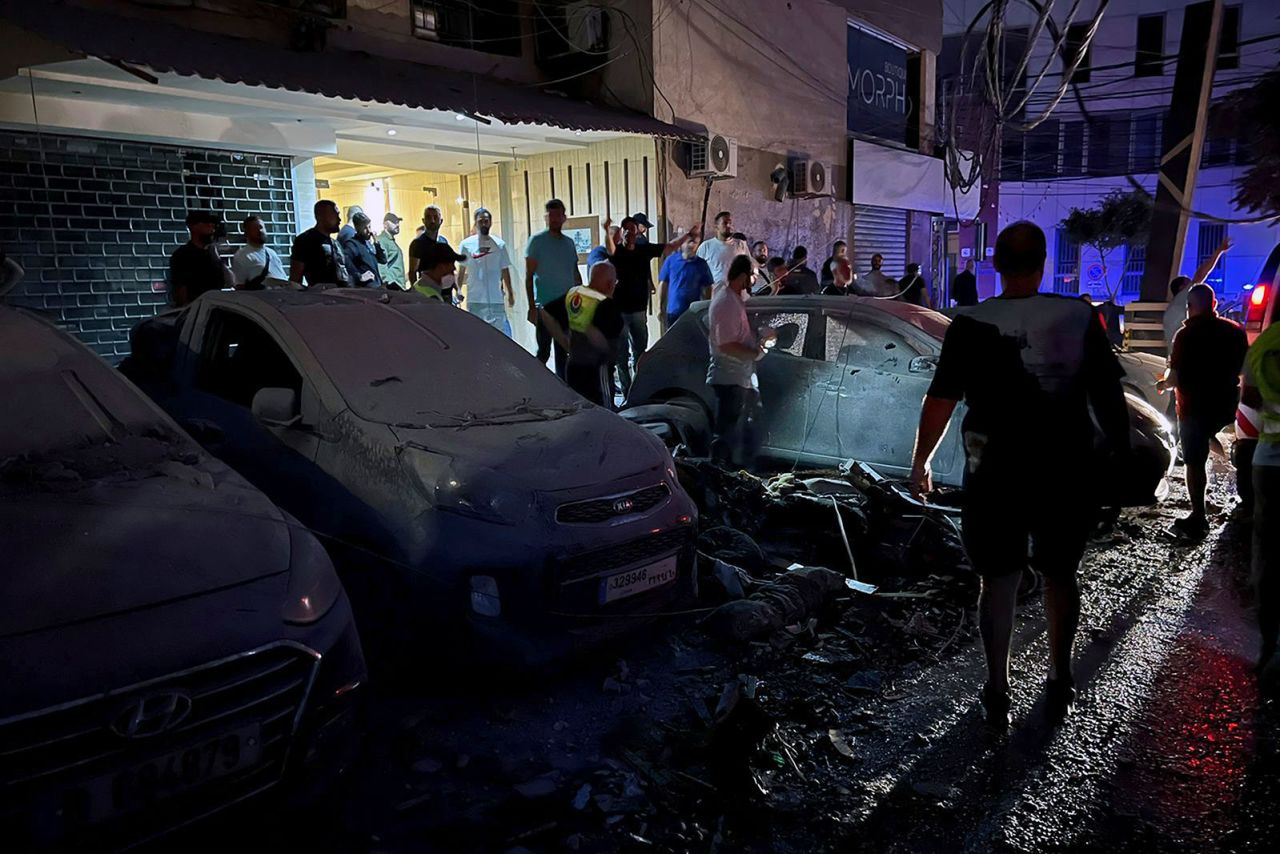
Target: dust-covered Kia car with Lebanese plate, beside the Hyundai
{"points": [[450, 472]]}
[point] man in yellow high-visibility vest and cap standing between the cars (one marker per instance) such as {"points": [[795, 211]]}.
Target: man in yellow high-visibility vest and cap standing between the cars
{"points": [[588, 325]]}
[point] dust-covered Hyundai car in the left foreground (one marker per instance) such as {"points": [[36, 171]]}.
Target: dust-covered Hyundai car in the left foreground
{"points": [[171, 642]]}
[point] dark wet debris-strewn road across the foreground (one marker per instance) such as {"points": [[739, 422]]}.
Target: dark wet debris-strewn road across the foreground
{"points": [[1172, 746]]}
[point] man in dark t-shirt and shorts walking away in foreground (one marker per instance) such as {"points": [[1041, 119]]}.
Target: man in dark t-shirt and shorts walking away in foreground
{"points": [[1028, 366]]}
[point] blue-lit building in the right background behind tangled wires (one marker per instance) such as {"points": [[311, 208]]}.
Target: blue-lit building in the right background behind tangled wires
{"points": [[1112, 139]]}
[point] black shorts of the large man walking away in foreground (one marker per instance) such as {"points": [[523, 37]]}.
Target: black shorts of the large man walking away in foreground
{"points": [[1008, 527]]}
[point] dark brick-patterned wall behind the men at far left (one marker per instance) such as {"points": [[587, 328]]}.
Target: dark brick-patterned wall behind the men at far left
{"points": [[95, 221]]}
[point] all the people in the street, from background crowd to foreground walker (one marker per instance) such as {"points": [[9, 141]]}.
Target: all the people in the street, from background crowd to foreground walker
{"points": [[597, 332]]}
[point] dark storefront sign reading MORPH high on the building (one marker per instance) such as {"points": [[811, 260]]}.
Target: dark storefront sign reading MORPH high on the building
{"points": [[880, 88]]}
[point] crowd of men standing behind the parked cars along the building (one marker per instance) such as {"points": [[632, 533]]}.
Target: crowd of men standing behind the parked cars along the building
{"points": [[342, 250]]}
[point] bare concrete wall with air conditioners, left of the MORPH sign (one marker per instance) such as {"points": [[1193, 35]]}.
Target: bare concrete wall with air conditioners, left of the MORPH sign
{"points": [[774, 76]]}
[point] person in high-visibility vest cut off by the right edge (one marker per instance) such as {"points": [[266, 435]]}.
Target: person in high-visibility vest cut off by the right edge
{"points": [[1263, 394]]}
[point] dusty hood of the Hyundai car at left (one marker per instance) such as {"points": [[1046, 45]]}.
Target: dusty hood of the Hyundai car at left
{"points": [[109, 531]]}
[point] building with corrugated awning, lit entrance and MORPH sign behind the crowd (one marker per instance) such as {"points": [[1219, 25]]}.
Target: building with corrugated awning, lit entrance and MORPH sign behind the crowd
{"points": [[120, 117]]}
